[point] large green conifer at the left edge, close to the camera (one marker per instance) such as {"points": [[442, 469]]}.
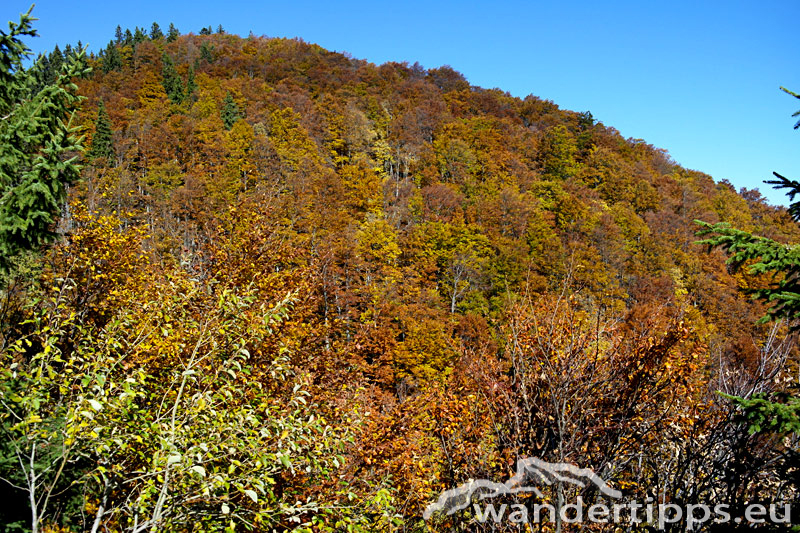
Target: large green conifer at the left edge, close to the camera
{"points": [[36, 144]]}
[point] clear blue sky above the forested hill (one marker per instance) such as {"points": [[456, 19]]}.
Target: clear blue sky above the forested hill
{"points": [[699, 79]]}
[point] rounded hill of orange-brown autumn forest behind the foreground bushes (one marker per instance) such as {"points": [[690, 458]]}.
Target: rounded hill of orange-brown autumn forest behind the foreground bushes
{"points": [[405, 189]]}
